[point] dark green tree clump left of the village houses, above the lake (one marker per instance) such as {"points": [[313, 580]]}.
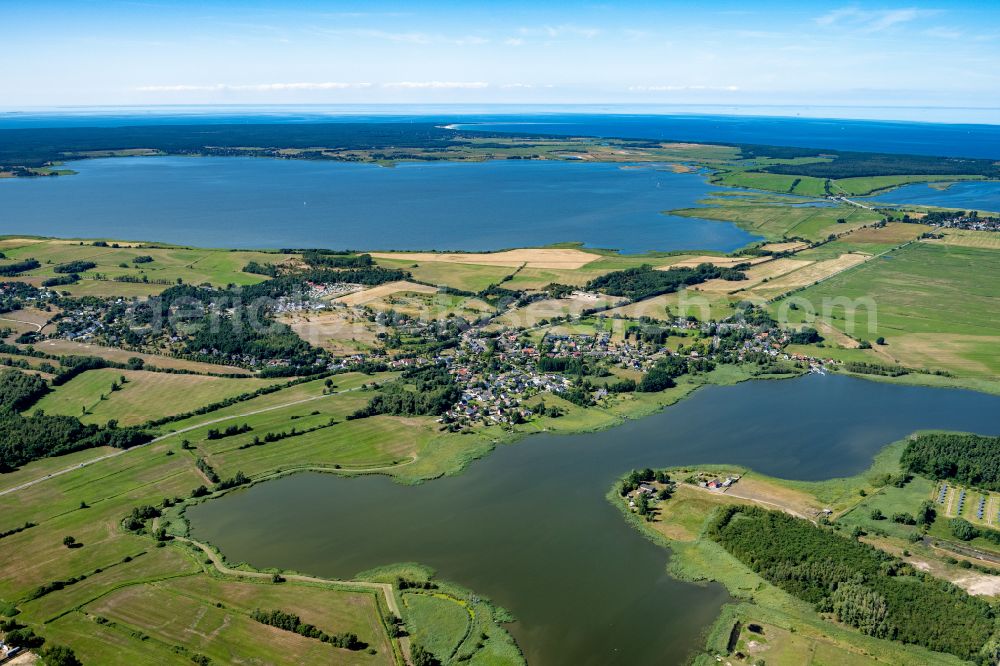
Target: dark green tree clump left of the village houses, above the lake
{"points": [[420, 391]]}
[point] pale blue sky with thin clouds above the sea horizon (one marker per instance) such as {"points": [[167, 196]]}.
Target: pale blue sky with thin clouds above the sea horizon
{"points": [[80, 52]]}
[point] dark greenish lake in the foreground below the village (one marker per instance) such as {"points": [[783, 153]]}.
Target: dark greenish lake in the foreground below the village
{"points": [[528, 526]]}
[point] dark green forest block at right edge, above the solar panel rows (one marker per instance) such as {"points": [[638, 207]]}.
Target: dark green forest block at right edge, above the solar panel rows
{"points": [[973, 460]]}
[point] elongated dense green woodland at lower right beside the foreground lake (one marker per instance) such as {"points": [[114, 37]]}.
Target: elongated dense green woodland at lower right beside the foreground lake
{"points": [[861, 585]]}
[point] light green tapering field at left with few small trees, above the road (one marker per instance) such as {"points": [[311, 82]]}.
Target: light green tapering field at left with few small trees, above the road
{"points": [[144, 396]]}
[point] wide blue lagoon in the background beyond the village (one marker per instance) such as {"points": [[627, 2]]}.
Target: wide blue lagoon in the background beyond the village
{"points": [[269, 203]]}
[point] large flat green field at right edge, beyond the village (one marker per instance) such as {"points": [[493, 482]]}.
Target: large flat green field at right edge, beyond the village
{"points": [[934, 304]]}
